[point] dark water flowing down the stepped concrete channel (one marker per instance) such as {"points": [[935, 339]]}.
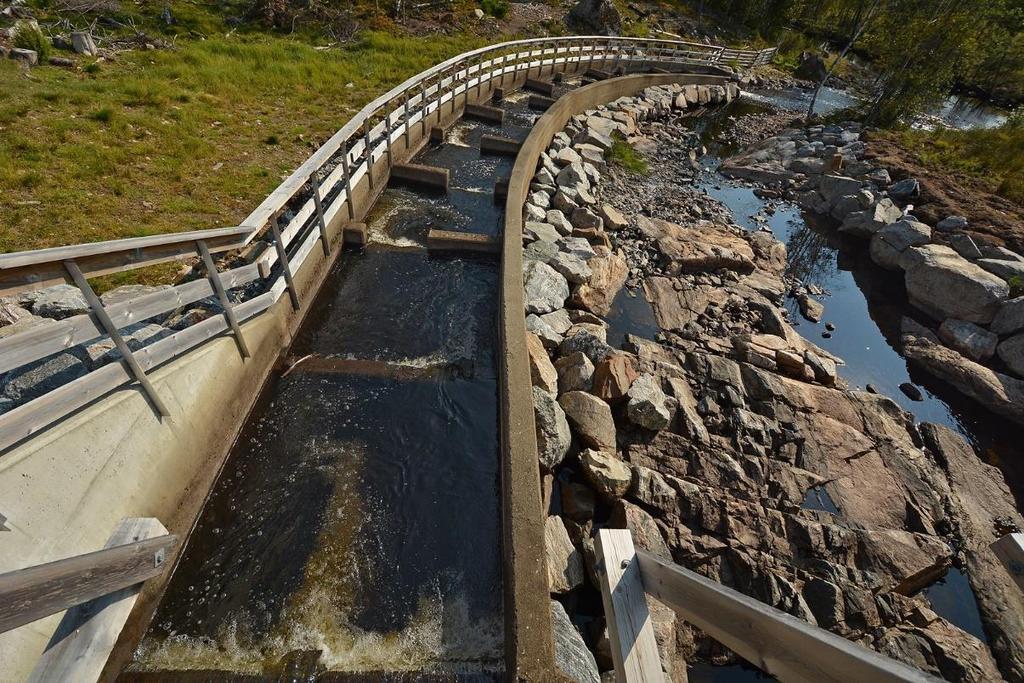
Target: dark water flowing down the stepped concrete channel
{"points": [[357, 523]]}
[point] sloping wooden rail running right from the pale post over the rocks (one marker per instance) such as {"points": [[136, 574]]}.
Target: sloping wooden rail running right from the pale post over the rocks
{"points": [[771, 639]]}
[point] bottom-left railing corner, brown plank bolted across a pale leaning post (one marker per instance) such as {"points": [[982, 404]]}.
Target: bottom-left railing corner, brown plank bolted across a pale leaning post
{"points": [[98, 590]]}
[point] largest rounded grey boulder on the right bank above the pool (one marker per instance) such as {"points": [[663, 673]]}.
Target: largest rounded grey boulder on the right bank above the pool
{"points": [[944, 284]]}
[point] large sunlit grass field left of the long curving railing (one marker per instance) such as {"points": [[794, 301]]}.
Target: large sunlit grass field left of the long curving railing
{"points": [[180, 140]]}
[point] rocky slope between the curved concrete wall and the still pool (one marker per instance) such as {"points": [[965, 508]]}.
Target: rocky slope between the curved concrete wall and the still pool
{"points": [[709, 440]]}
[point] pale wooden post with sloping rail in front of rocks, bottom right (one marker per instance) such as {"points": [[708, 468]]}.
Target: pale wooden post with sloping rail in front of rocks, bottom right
{"points": [[771, 639]]}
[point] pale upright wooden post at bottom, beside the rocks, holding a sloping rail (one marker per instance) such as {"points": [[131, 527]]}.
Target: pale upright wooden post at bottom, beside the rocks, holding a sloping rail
{"points": [[630, 627]]}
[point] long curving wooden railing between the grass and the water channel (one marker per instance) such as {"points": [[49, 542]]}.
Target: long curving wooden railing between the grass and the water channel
{"points": [[285, 229]]}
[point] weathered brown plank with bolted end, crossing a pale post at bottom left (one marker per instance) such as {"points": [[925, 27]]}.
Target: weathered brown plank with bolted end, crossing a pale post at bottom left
{"points": [[36, 592]]}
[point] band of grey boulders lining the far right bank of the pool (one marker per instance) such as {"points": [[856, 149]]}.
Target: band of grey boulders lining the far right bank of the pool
{"points": [[970, 291]]}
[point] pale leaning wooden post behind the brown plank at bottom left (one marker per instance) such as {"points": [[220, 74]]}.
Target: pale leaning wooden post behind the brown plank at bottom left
{"points": [[83, 642]]}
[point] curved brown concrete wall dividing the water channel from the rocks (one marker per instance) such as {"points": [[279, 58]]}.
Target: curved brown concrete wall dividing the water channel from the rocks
{"points": [[530, 643]]}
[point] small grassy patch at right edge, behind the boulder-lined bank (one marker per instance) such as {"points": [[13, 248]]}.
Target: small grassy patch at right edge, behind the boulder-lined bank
{"points": [[996, 155]]}
